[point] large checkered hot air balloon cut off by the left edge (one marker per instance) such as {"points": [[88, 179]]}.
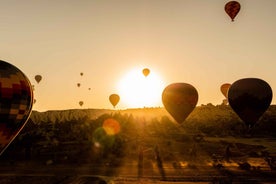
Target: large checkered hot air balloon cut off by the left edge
{"points": [[16, 101]]}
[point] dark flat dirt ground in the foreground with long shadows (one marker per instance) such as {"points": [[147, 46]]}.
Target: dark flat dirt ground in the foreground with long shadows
{"points": [[208, 160]]}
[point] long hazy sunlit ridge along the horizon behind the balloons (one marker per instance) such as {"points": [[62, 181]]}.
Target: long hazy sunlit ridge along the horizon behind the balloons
{"points": [[209, 119]]}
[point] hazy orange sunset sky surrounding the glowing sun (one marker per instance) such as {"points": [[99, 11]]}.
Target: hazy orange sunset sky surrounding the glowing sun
{"points": [[192, 41]]}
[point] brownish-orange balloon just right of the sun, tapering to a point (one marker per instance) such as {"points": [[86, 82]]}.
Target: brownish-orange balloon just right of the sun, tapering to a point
{"points": [[179, 100]]}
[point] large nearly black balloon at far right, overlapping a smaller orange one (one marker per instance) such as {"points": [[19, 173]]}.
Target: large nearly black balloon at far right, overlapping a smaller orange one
{"points": [[250, 98]]}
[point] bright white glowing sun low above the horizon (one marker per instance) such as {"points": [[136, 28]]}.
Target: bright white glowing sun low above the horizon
{"points": [[137, 90]]}
